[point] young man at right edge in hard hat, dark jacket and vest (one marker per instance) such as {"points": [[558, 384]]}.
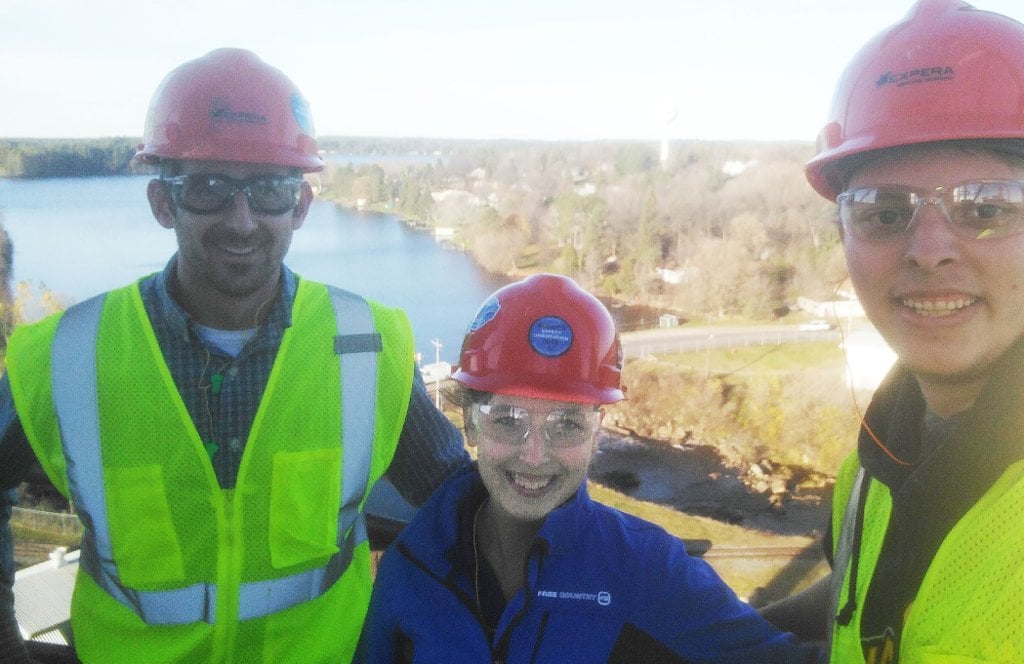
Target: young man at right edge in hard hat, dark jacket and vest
{"points": [[925, 155]]}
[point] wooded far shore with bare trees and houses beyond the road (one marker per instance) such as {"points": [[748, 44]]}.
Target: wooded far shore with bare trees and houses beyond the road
{"points": [[716, 230]]}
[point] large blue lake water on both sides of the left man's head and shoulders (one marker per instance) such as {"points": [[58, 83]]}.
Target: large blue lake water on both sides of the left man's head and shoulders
{"points": [[79, 237]]}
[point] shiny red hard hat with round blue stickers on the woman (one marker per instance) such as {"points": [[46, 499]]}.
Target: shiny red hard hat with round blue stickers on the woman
{"points": [[544, 338]]}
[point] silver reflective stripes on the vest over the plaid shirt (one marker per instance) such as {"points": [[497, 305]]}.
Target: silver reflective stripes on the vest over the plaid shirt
{"points": [[77, 406]]}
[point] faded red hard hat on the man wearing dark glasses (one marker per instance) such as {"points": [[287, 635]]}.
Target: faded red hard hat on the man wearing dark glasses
{"points": [[231, 106]]}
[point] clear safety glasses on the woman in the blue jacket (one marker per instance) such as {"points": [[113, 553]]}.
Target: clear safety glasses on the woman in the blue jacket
{"points": [[507, 425]]}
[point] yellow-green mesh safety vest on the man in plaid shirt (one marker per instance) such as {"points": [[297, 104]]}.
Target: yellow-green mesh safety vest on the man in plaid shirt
{"points": [[174, 568]]}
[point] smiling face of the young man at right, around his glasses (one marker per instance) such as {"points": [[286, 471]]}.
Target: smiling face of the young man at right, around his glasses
{"points": [[949, 306]]}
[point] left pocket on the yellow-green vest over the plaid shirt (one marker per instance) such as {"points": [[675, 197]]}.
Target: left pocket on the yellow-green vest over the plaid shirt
{"points": [[143, 535]]}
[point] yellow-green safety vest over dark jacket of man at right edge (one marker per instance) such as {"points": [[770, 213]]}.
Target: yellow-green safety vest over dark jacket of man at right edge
{"points": [[970, 607]]}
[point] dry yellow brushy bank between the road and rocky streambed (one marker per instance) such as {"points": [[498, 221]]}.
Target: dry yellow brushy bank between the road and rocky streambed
{"points": [[788, 403]]}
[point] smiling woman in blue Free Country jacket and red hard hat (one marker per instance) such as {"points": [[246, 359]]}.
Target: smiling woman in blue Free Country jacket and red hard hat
{"points": [[511, 561]]}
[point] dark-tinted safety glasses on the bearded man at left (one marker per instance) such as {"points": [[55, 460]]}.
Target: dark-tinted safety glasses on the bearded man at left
{"points": [[209, 194]]}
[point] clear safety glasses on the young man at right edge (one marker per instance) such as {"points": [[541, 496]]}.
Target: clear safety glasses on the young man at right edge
{"points": [[975, 211]]}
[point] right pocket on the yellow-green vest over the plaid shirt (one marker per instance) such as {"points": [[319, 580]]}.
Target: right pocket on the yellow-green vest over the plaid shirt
{"points": [[306, 500]]}
